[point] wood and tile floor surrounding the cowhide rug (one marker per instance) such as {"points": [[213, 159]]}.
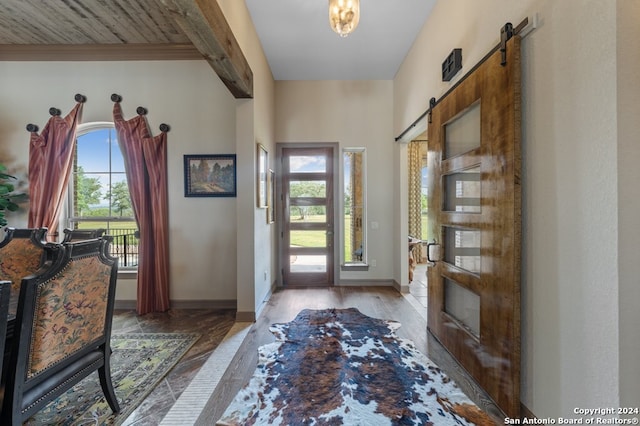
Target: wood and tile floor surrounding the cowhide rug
{"points": [[235, 368]]}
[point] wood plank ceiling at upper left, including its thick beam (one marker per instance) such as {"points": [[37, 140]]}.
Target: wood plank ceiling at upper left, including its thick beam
{"points": [[112, 30]]}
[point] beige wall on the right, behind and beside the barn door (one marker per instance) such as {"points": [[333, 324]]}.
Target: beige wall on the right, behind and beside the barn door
{"points": [[571, 279]]}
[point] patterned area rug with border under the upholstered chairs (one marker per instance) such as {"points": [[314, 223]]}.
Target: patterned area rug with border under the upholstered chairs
{"points": [[138, 364]]}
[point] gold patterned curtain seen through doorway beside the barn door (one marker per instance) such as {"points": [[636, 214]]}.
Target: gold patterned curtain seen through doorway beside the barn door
{"points": [[415, 199]]}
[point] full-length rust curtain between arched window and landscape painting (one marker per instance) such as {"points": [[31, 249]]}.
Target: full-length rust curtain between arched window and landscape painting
{"points": [[145, 160]]}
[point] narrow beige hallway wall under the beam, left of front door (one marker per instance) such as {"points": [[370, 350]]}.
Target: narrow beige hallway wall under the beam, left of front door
{"points": [[256, 270]]}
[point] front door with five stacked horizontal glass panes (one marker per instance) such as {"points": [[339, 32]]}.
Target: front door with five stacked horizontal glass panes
{"points": [[307, 228]]}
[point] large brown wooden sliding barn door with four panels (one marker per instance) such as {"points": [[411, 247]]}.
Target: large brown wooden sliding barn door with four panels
{"points": [[474, 218]]}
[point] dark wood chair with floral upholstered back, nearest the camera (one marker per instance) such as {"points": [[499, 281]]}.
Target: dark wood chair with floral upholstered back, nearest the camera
{"points": [[63, 329]]}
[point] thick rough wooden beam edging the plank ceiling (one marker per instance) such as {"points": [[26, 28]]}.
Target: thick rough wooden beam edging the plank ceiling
{"points": [[205, 25]]}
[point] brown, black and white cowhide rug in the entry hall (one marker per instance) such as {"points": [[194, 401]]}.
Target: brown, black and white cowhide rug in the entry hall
{"points": [[340, 367]]}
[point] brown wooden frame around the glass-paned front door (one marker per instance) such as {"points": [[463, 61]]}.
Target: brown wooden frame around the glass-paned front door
{"points": [[337, 224]]}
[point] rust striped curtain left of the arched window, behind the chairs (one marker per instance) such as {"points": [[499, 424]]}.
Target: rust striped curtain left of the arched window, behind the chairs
{"points": [[50, 163]]}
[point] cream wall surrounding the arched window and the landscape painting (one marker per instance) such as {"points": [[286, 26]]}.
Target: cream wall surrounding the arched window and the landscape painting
{"points": [[189, 97]]}
